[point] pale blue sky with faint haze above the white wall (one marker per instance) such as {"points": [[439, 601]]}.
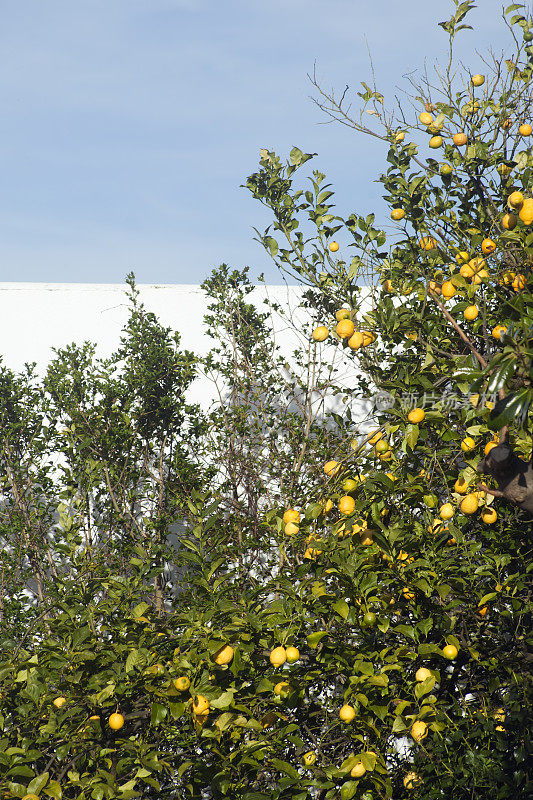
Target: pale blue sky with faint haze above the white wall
{"points": [[128, 126]]}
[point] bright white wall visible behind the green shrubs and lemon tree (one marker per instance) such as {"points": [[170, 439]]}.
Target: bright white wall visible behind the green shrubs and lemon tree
{"points": [[37, 317]]}
